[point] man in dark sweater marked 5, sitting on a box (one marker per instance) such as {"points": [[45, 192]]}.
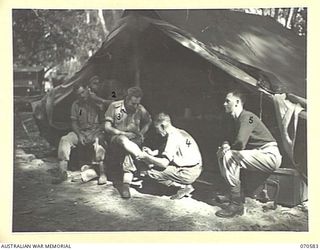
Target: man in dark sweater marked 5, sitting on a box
{"points": [[253, 148]]}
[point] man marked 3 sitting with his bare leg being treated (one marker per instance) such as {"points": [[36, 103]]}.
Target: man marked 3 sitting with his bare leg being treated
{"points": [[127, 121]]}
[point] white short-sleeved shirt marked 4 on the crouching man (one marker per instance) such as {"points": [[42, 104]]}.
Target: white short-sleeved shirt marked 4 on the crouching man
{"points": [[181, 149]]}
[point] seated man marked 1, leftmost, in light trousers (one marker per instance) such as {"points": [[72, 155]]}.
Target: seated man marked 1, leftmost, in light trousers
{"points": [[86, 130]]}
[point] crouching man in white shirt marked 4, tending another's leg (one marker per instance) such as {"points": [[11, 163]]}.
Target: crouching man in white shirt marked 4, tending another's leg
{"points": [[180, 162]]}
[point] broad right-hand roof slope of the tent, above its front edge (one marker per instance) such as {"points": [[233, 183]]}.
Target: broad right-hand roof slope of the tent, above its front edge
{"points": [[254, 40]]}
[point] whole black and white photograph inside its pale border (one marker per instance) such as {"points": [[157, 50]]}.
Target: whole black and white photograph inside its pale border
{"points": [[135, 120]]}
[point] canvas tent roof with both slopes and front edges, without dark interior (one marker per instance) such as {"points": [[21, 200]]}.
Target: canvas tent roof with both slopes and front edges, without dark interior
{"points": [[243, 45]]}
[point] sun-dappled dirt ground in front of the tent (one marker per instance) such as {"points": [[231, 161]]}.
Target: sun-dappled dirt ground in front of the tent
{"points": [[73, 206]]}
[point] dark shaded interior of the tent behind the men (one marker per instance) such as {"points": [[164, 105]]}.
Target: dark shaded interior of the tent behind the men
{"points": [[178, 81]]}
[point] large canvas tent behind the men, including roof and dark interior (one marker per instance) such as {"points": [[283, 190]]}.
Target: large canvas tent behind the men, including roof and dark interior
{"points": [[185, 61]]}
